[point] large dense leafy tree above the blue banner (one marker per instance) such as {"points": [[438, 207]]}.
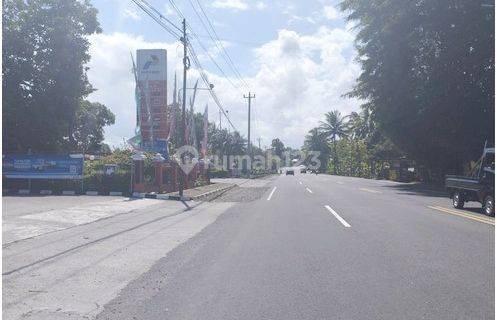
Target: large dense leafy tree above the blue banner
{"points": [[45, 49]]}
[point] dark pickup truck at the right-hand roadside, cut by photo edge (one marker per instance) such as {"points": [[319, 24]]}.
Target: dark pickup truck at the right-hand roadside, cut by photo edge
{"points": [[478, 186]]}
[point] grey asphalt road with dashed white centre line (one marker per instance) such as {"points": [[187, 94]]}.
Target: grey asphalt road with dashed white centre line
{"points": [[325, 247]]}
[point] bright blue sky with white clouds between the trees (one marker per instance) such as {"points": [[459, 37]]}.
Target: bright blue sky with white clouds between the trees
{"points": [[297, 57]]}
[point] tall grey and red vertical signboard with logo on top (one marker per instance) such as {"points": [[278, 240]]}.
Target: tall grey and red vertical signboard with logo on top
{"points": [[151, 65]]}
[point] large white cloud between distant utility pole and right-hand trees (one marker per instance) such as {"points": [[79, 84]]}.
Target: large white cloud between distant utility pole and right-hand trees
{"points": [[302, 77]]}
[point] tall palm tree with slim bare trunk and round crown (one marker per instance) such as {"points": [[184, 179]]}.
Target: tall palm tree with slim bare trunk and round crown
{"points": [[334, 127]]}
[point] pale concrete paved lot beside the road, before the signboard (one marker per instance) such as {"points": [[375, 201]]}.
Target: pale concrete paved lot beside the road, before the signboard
{"points": [[68, 256]]}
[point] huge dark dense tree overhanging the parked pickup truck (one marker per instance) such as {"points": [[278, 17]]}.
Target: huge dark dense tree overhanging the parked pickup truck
{"points": [[428, 75]]}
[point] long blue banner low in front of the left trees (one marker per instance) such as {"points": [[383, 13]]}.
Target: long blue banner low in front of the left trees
{"points": [[43, 166]]}
